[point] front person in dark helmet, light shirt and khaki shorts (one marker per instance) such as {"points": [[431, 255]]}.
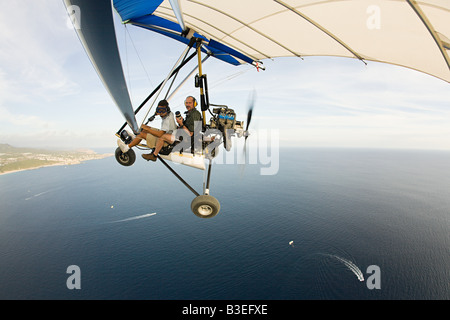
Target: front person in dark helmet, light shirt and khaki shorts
{"points": [[153, 135]]}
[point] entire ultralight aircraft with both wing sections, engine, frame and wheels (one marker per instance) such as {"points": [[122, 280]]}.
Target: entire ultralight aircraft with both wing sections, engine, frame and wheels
{"points": [[409, 33]]}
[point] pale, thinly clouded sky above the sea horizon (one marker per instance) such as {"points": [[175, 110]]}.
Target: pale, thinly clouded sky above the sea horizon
{"points": [[51, 97]]}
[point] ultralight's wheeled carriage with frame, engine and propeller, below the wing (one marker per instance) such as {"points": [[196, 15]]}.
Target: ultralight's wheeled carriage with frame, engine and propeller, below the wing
{"points": [[222, 126]]}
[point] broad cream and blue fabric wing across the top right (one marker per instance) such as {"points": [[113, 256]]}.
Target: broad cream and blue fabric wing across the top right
{"points": [[410, 33]]}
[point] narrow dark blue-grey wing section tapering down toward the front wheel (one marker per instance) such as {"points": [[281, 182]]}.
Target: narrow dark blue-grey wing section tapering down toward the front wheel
{"points": [[95, 29]]}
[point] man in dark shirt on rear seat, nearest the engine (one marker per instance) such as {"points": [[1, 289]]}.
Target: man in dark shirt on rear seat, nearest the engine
{"points": [[187, 127]]}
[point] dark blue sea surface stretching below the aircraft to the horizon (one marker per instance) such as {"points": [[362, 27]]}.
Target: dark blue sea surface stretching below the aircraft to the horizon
{"points": [[332, 224]]}
